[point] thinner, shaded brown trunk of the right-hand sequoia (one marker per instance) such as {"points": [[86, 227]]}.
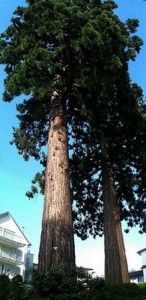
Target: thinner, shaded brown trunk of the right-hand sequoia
{"points": [[116, 269]]}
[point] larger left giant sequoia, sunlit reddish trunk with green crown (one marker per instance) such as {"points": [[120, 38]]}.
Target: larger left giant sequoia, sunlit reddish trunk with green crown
{"points": [[42, 58]]}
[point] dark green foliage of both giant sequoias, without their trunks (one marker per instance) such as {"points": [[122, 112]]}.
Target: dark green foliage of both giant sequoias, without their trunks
{"points": [[88, 47]]}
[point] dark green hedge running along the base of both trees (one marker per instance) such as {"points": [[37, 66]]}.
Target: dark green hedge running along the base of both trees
{"points": [[77, 285]]}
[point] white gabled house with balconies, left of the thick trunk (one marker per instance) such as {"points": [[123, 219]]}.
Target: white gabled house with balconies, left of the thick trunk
{"points": [[15, 257]]}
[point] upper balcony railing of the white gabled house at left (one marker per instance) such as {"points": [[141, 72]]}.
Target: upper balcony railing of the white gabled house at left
{"points": [[10, 236]]}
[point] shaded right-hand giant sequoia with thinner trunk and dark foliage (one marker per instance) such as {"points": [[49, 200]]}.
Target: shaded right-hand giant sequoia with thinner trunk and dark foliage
{"points": [[111, 165]]}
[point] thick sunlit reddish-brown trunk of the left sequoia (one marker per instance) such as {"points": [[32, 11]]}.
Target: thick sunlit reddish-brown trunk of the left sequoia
{"points": [[57, 241]]}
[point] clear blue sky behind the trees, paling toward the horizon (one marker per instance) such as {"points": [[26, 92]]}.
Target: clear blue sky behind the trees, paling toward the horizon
{"points": [[16, 174]]}
